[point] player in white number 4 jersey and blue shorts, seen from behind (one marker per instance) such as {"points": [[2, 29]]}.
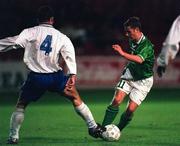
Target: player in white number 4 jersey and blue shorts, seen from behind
{"points": [[44, 46]]}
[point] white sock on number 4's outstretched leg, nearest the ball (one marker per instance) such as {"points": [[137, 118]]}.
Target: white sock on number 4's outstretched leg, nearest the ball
{"points": [[86, 114]]}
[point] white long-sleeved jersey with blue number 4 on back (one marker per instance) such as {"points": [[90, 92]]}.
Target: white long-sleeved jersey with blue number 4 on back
{"points": [[44, 45]]}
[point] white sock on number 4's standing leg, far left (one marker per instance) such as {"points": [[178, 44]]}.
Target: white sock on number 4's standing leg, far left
{"points": [[15, 122]]}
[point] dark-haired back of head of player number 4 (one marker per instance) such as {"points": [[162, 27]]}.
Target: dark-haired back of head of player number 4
{"points": [[45, 13]]}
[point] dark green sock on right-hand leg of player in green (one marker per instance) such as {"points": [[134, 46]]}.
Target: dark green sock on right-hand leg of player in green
{"points": [[124, 121]]}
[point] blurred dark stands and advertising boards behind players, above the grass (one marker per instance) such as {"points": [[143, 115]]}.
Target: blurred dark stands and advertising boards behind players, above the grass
{"points": [[93, 26]]}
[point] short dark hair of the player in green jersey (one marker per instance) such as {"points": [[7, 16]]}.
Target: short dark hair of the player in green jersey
{"points": [[133, 22]]}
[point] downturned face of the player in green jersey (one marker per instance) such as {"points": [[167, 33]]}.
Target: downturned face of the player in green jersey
{"points": [[131, 33]]}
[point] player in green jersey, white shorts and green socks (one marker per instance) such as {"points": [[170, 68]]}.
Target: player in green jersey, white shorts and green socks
{"points": [[137, 77]]}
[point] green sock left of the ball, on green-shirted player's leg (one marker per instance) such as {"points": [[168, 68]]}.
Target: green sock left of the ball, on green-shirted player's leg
{"points": [[110, 115]]}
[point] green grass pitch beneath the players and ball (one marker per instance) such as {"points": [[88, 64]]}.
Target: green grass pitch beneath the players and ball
{"points": [[52, 121]]}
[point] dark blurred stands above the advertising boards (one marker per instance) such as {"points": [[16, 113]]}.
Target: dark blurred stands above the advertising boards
{"points": [[92, 25]]}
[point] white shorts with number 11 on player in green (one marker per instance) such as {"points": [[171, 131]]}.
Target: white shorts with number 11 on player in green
{"points": [[137, 90]]}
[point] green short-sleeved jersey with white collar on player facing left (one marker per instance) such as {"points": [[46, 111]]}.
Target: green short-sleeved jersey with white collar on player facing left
{"points": [[145, 49]]}
